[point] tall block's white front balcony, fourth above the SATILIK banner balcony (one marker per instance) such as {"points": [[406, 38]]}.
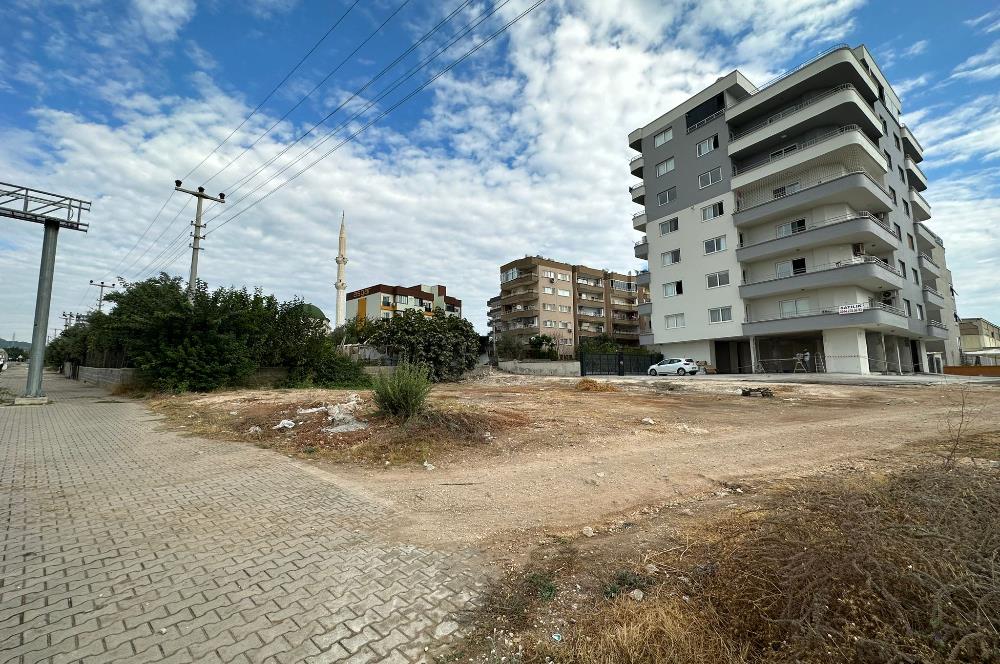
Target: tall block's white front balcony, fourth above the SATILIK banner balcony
{"points": [[832, 146]]}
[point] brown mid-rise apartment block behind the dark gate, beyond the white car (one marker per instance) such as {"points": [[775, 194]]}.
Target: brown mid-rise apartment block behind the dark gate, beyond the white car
{"points": [[567, 302]]}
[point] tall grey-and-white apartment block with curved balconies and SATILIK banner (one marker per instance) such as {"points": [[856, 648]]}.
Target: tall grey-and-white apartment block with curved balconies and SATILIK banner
{"points": [[785, 227]]}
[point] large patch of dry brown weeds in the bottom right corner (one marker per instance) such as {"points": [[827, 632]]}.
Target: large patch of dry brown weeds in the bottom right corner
{"points": [[896, 568]]}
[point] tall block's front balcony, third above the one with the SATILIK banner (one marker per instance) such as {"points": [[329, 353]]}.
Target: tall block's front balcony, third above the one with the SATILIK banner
{"points": [[857, 188]]}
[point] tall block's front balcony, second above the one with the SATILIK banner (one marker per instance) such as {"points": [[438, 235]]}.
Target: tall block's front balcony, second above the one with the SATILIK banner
{"points": [[862, 227]]}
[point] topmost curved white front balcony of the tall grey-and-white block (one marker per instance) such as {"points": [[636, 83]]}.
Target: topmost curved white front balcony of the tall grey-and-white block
{"points": [[831, 68]]}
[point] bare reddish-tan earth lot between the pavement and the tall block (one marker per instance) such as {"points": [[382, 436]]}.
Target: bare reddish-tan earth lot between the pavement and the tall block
{"points": [[562, 460]]}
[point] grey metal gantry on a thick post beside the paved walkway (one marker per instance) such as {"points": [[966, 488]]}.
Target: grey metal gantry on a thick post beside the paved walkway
{"points": [[53, 211]]}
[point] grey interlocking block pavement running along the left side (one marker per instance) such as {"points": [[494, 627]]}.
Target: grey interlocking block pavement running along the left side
{"points": [[121, 542]]}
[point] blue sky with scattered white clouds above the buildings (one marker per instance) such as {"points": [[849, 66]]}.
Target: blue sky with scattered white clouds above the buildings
{"points": [[446, 163]]}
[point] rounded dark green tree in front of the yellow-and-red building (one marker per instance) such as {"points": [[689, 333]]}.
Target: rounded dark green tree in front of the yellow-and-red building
{"points": [[447, 346]]}
